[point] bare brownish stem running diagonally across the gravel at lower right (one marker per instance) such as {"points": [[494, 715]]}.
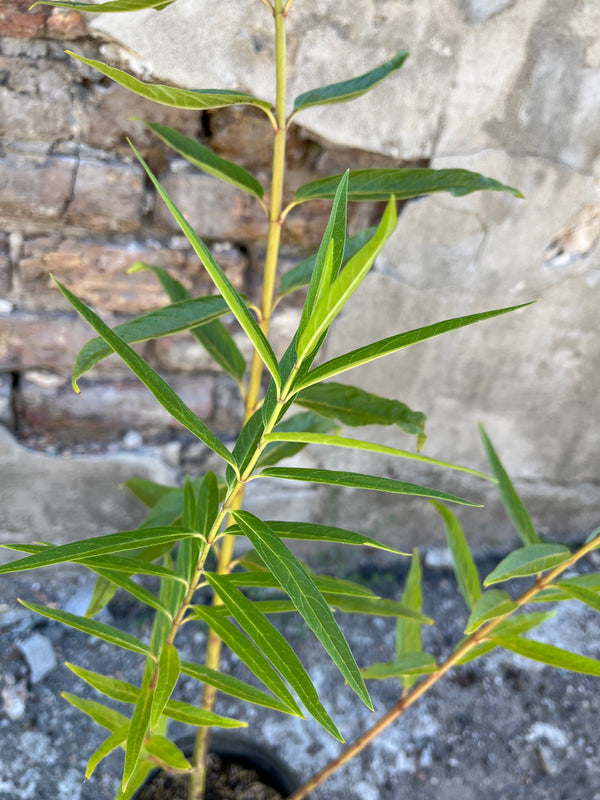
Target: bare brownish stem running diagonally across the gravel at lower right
{"points": [[427, 683]]}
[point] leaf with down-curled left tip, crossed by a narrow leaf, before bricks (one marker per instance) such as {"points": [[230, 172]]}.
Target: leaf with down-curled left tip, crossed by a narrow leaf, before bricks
{"points": [[163, 322]]}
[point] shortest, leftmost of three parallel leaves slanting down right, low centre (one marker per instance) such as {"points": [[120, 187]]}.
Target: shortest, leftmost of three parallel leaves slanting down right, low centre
{"points": [[248, 653]]}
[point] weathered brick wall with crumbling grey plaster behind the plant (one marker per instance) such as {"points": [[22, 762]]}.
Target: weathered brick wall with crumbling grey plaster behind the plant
{"points": [[506, 88]]}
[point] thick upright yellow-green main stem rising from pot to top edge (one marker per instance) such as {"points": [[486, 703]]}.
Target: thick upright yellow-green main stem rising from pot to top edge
{"points": [[213, 652]]}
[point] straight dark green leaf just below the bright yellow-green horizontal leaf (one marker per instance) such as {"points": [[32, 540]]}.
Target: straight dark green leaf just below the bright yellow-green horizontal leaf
{"points": [[356, 480]]}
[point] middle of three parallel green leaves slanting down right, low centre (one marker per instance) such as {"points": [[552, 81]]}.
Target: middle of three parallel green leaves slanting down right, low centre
{"points": [[275, 647]]}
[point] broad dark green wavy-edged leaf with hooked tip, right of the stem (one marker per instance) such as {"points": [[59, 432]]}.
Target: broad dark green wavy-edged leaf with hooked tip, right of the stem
{"points": [[356, 407]]}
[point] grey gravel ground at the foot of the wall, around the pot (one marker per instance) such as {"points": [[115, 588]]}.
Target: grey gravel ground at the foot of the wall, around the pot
{"points": [[500, 728]]}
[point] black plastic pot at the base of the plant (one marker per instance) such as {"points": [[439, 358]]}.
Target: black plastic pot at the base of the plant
{"points": [[245, 752]]}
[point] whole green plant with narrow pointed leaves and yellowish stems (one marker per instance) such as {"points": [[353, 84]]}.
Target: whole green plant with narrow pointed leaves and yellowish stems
{"points": [[191, 528]]}
